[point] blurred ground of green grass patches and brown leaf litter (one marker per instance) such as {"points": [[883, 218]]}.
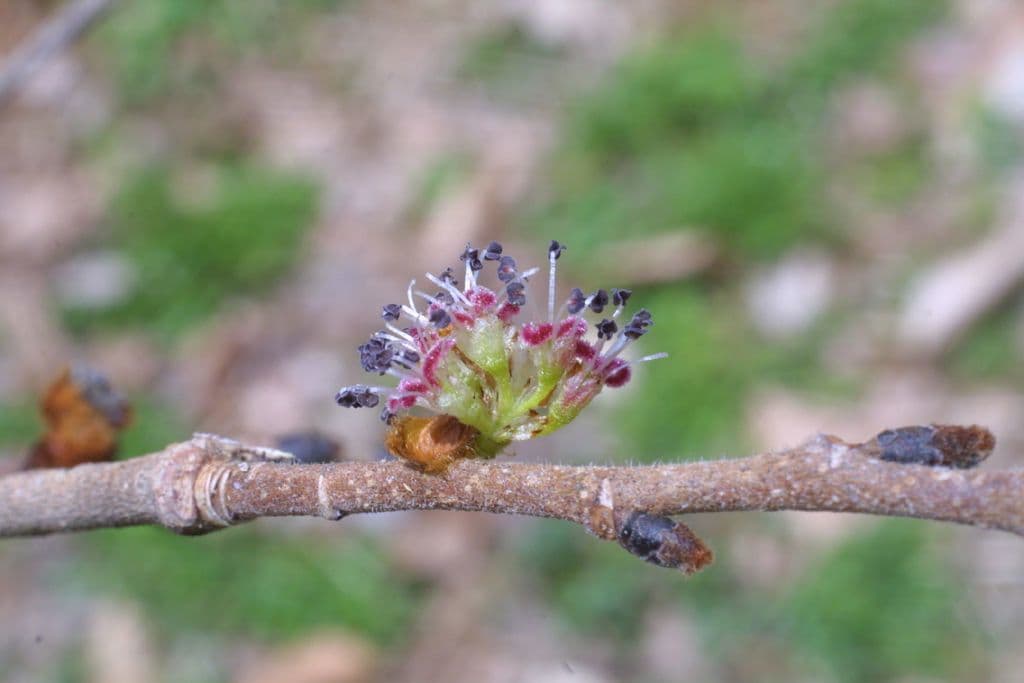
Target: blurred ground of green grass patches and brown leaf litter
{"points": [[822, 203]]}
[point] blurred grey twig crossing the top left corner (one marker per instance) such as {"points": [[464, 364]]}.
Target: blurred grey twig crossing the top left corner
{"points": [[51, 39]]}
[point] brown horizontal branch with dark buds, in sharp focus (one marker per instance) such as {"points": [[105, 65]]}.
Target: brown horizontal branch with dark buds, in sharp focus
{"points": [[209, 483]]}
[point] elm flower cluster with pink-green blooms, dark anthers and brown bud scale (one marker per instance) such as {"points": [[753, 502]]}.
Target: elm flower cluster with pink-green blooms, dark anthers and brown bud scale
{"points": [[476, 372]]}
